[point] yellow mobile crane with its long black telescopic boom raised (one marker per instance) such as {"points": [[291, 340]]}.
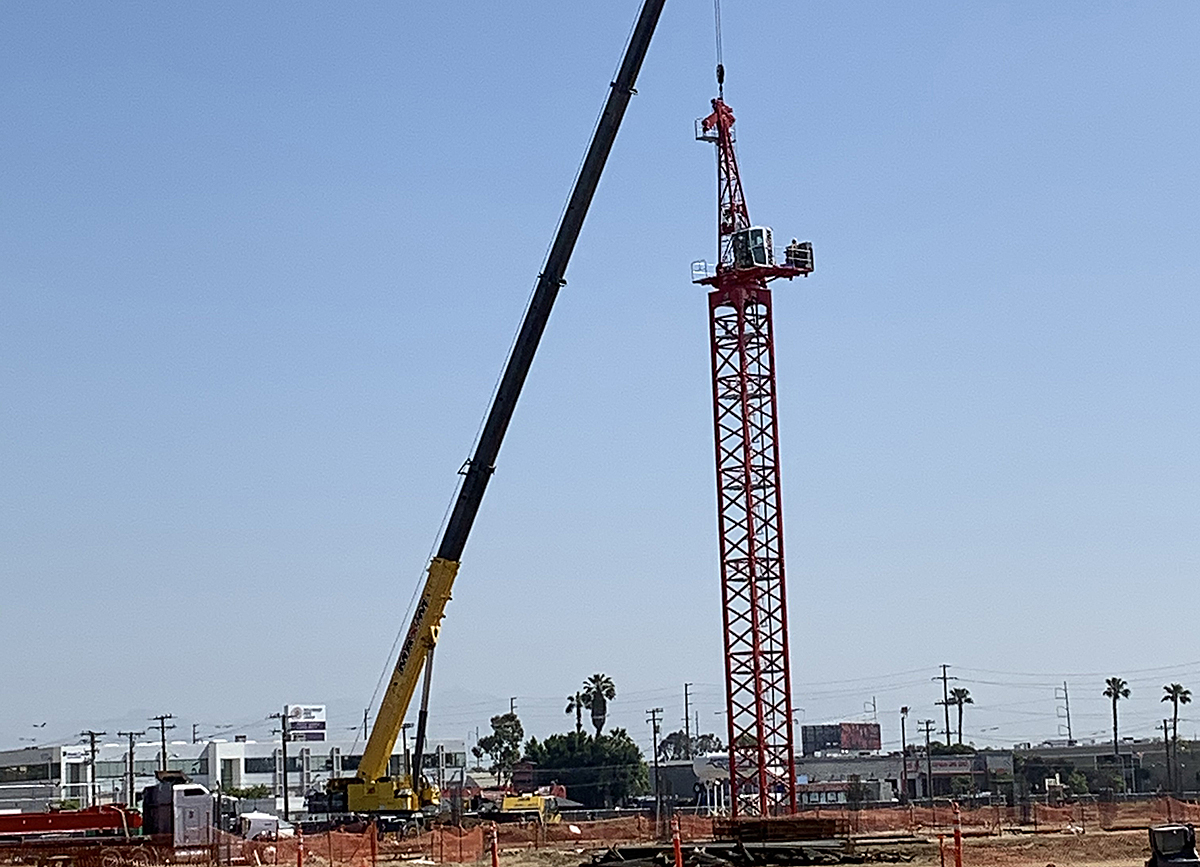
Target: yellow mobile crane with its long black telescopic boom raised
{"points": [[373, 791]]}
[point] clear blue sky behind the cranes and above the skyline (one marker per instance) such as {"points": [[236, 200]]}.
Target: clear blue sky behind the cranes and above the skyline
{"points": [[261, 265]]}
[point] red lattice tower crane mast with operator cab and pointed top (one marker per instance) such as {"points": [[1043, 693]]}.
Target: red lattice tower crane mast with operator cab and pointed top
{"points": [[763, 774]]}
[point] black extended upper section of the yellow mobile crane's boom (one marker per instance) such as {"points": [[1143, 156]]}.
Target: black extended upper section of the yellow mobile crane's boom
{"points": [[483, 463]]}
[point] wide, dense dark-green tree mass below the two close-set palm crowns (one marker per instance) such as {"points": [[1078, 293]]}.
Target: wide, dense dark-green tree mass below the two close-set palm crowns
{"points": [[601, 772]]}
